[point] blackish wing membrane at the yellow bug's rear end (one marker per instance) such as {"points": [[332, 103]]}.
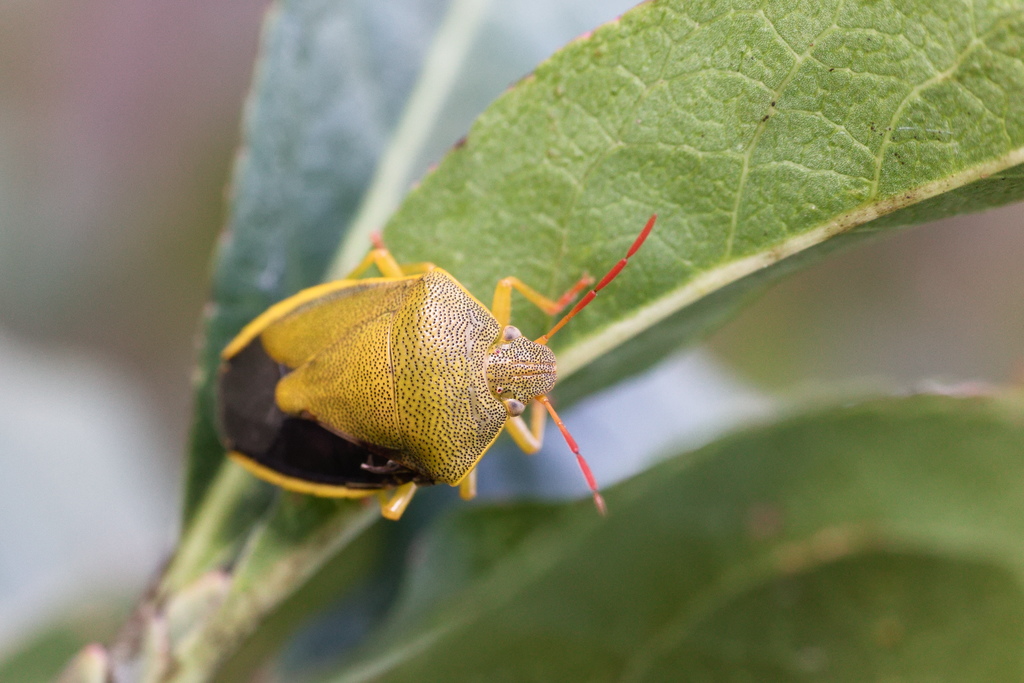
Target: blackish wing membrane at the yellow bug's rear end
{"points": [[296, 449]]}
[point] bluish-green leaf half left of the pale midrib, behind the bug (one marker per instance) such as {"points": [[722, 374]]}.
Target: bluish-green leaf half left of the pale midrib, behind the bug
{"points": [[323, 105]]}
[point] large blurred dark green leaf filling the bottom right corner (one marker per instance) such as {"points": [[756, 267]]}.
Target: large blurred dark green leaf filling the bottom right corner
{"points": [[883, 541]]}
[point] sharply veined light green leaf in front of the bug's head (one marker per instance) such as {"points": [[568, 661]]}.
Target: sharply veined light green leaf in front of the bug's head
{"points": [[757, 132]]}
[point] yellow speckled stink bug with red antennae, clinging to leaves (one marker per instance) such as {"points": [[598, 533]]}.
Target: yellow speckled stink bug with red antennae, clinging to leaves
{"points": [[360, 387]]}
